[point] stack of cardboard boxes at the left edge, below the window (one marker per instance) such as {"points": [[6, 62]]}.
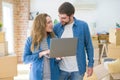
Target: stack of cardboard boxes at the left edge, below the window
{"points": [[8, 63]]}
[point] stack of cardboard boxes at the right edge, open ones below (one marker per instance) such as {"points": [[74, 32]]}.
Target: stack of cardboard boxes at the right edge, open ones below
{"points": [[112, 54]]}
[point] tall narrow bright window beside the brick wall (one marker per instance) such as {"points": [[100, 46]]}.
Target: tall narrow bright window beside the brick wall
{"points": [[8, 25]]}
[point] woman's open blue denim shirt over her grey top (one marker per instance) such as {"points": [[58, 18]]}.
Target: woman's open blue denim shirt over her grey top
{"points": [[36, 70]]}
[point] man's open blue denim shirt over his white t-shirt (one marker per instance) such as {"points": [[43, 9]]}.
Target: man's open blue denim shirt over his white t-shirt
{"points": [[80, 31]]}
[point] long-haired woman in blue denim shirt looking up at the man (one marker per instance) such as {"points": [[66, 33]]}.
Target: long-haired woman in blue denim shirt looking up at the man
{"points": [[36, 50]]}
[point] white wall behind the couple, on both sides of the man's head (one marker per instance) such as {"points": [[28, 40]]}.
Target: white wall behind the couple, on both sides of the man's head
{"points": [[105, 15]]}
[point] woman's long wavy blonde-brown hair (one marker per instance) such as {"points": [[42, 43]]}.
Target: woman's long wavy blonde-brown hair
{"points": [[38, 31]]}
